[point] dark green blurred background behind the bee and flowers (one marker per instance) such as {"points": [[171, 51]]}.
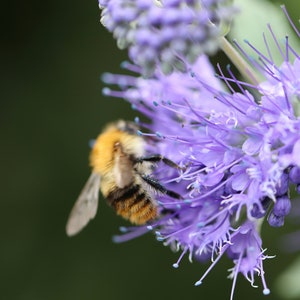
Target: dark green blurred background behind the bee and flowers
{"points": [[52, 56]]}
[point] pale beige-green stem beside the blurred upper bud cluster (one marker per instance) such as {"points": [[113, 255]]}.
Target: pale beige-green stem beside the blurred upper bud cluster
{"points": [[240, 63]]}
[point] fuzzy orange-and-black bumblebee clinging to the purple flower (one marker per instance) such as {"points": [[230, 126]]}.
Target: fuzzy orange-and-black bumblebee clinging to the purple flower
{"points": [[121, 170]]}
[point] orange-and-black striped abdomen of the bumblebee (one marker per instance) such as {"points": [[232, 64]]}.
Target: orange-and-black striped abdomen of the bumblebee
{"points": [[133, 203]]}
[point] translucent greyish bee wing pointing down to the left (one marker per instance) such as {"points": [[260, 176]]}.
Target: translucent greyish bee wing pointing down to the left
{"points": [[85, 207]]}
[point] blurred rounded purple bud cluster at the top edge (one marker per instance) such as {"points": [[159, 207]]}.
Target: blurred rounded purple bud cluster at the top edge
{"points": [[161, 32]]}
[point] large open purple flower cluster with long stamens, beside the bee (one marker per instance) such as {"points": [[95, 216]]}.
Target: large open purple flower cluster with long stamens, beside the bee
{"points": [[239, 152]]}
